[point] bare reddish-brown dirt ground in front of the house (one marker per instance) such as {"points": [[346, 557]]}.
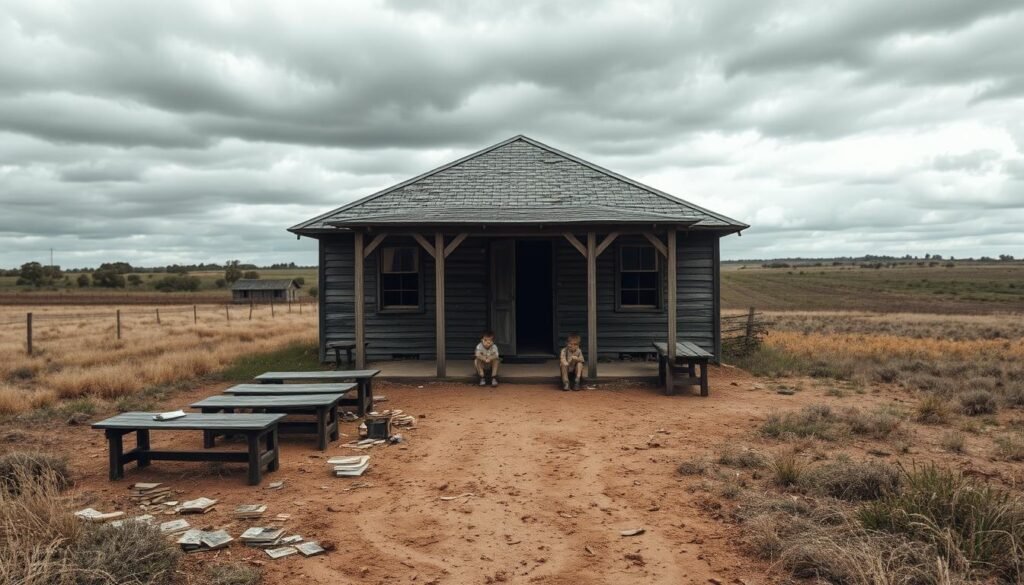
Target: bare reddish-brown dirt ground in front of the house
{"points": [[553, 477]]}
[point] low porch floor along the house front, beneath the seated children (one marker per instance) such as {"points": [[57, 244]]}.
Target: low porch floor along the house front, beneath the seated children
{"points": [[462, 370]]}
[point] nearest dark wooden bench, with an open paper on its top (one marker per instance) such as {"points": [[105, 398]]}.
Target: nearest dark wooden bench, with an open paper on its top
{"points": [[261, 432]]}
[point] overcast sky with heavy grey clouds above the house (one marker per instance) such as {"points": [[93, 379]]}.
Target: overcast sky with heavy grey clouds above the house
{"points": [[180, 132]]}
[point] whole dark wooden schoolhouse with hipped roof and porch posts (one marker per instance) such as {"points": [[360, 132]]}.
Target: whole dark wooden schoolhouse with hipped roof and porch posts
{"points": [[528, 241]]}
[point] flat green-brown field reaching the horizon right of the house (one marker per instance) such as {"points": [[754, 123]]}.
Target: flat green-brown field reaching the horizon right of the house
{"points": [[965, 288]]}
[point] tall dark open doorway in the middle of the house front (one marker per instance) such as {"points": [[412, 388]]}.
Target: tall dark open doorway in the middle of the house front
{"points": [[534, 312]]}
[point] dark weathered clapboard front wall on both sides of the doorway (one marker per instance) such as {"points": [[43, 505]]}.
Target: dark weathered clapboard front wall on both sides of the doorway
{"points": [[468, 297]]}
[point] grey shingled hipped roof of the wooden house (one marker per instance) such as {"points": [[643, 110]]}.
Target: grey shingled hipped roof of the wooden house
{"points": [[518, 182]]}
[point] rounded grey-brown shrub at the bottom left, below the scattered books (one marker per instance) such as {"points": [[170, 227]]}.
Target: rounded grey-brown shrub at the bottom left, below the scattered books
{"points": [[133, 553]]}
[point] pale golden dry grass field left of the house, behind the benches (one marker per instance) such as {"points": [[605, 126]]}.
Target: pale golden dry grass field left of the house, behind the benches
{"points": [[82, 358]]}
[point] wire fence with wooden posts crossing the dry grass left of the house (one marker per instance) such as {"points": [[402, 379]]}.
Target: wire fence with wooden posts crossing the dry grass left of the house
{"points": [[194, 315]]}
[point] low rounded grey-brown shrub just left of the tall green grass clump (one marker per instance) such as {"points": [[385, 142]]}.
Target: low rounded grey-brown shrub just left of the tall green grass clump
{"points": [[852, 481]]}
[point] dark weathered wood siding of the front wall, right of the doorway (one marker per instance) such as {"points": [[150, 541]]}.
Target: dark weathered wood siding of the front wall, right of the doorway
{"points": [[633, 331]]}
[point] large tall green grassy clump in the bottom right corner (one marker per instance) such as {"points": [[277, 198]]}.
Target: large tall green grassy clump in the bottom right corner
{"points": [[969, 524]]}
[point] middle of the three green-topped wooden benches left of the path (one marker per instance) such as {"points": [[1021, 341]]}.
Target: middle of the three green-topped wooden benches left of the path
{"points": [[323, 407]]}
